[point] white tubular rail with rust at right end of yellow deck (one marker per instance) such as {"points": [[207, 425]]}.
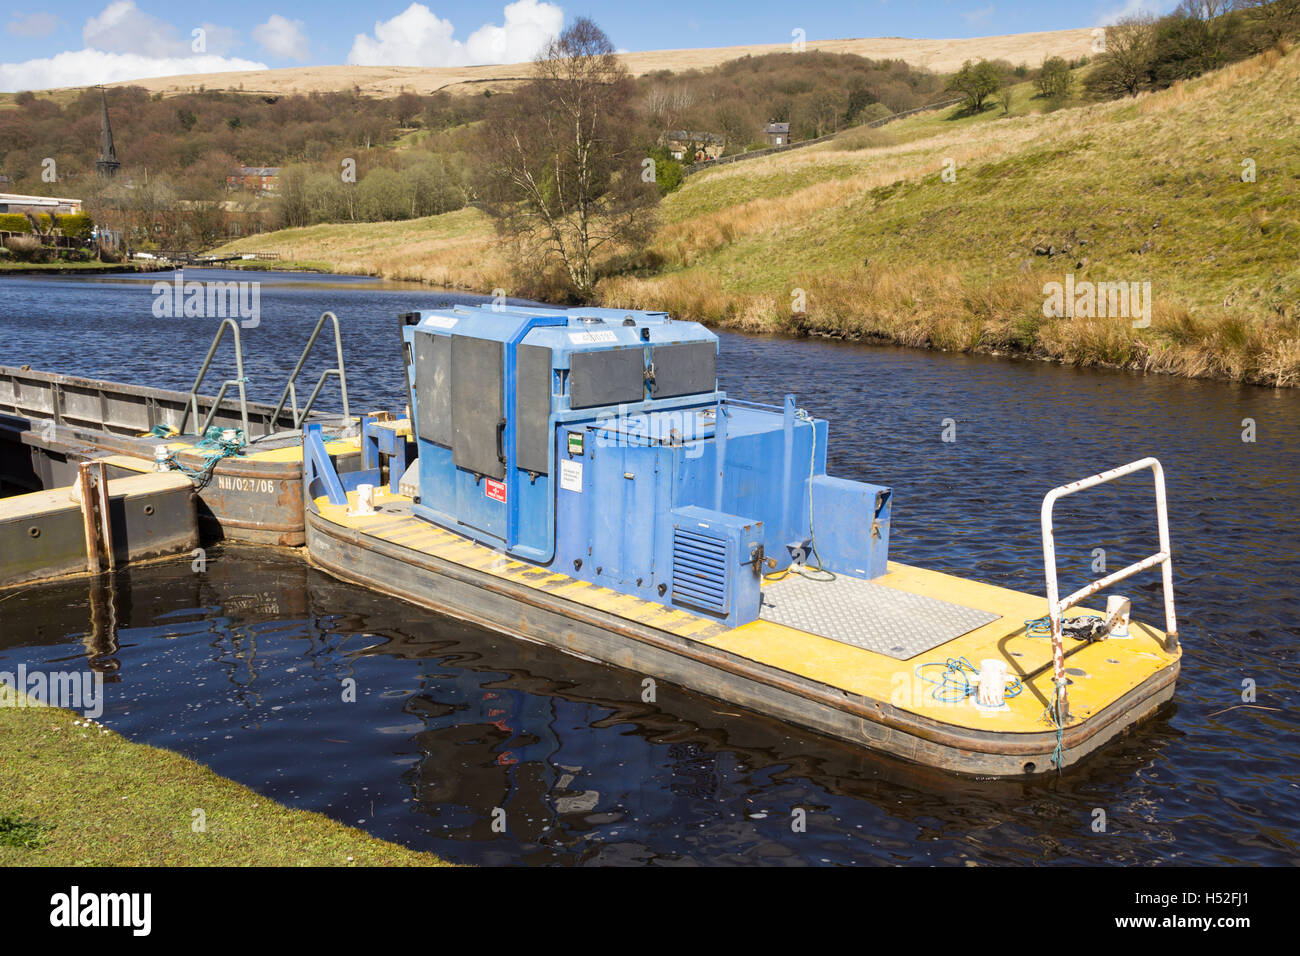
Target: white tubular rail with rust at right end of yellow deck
{"points": [[1164, 557]]}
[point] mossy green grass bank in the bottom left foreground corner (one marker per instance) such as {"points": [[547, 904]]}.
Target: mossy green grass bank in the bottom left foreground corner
{"points": [[79, 795]]}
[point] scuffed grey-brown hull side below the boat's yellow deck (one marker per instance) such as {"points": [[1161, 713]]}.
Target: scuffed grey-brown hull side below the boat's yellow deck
{"points": [[527, 613]]}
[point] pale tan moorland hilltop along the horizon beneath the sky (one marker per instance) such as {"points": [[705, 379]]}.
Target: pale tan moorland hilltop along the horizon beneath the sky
{"points": [[942, 57]]}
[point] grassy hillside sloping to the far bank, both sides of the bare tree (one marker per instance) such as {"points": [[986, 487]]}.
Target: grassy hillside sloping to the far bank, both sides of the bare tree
{"points": [[868, 239]]}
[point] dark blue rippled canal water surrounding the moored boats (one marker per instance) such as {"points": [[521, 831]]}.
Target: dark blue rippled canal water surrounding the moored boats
{"points": [[241, 667]]}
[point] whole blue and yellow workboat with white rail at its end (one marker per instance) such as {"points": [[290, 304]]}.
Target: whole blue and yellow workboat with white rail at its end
{"points": [[577, 478]]}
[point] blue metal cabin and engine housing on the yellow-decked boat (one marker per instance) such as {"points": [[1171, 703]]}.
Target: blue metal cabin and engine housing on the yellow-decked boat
{"points": [[596, 443]]}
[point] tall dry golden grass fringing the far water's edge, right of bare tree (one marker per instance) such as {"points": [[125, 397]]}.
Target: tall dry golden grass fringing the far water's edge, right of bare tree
{"points": [[931, 308]]}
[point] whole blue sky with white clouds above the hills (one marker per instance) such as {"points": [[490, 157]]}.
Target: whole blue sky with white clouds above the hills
{"points": [[85, 42]]}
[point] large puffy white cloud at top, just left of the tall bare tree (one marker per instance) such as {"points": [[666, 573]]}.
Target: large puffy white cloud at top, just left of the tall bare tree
{"points": [[418, 37]]}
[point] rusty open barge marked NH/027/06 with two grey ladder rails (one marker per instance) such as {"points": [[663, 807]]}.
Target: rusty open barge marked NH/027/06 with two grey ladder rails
{"points": [[249, 486]]}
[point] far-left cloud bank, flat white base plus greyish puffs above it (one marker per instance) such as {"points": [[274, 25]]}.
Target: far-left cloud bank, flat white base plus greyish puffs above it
{"points": [[123, 42]]}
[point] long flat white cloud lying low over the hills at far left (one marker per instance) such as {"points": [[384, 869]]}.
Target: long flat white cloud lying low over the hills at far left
{"points": [[92, 67]]}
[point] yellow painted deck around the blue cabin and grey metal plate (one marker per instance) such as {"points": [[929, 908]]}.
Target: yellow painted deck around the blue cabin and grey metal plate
{"points": [[1111, 669]]}
